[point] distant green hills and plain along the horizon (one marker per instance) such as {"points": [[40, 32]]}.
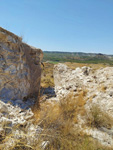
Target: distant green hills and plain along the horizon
{"points": [[80, 57]]}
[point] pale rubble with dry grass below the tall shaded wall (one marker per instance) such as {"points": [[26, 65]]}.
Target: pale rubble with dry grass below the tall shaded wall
{"points": [[17, 128]]}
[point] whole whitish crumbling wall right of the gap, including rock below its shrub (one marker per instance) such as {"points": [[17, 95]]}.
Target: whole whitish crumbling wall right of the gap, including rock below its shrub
{"points": [[99, 87]]}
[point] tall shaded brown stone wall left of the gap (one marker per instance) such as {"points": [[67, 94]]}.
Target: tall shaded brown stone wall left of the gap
{"points": [[20, 70]]}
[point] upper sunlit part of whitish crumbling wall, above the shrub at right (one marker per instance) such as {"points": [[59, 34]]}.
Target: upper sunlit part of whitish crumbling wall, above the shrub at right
{"points": [[98, 84]]}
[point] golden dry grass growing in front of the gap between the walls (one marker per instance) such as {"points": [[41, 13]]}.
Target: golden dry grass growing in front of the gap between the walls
{"points": [[58, 121]]}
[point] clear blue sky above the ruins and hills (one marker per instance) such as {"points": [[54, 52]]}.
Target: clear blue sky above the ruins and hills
{"points": [[61, 25]]}
